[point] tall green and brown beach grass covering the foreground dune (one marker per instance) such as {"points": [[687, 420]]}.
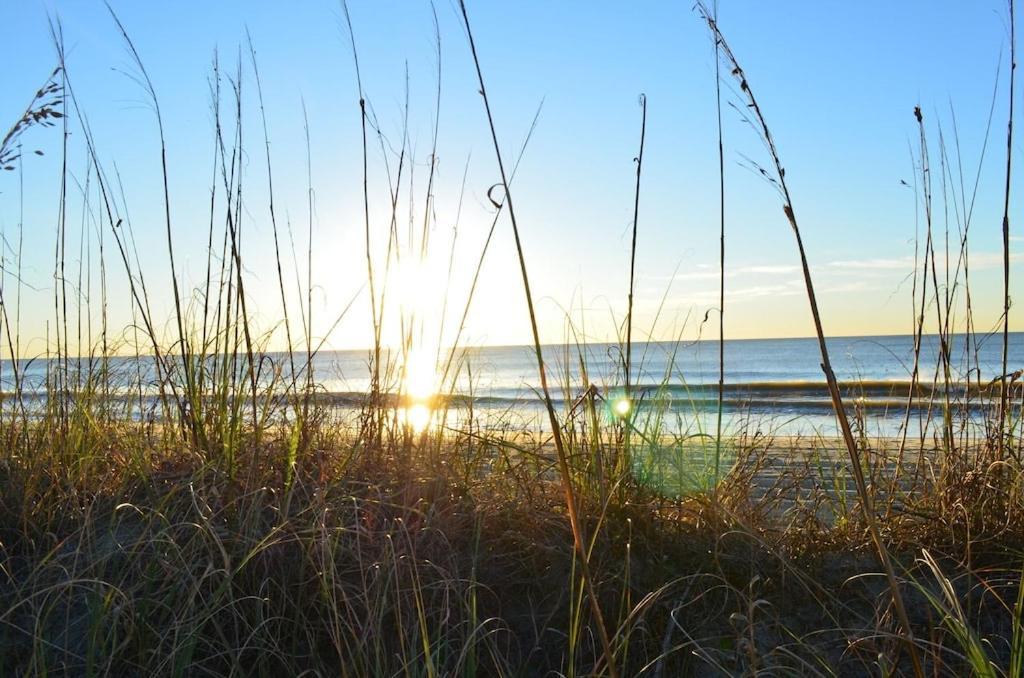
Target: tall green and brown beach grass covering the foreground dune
{"points": [[209, 512]]}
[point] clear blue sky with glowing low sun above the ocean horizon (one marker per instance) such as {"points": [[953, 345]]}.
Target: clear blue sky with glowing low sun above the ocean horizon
{"points": [[838, 83]]}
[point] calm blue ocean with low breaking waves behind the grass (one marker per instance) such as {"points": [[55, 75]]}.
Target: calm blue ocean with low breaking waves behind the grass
{"points": [[772, 386]]}
